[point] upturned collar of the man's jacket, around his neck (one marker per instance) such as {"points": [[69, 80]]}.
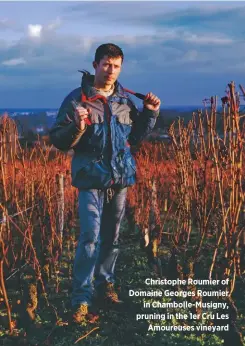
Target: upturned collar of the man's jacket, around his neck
{"points": [[90, 91]]}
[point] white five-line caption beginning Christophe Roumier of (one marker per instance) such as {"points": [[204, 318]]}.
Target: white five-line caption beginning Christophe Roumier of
{"points": [[171, 304]]}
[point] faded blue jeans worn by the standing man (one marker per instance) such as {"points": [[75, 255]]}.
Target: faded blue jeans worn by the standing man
{"points": [[97, 248]]}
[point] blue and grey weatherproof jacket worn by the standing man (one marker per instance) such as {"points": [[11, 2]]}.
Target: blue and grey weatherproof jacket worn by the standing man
{"points": [[102, 155]]}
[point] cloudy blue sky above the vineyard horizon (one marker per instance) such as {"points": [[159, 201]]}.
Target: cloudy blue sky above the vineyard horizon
{"points": [[181, 51]]}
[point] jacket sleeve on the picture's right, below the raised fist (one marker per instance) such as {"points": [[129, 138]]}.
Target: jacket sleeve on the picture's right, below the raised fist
{"points": [[143, 124]]}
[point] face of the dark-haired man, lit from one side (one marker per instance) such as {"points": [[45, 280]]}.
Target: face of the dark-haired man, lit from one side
{"points": [[108, 70]]}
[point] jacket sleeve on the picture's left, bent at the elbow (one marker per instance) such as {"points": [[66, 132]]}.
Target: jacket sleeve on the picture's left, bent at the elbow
{"points": [[64, 134]]}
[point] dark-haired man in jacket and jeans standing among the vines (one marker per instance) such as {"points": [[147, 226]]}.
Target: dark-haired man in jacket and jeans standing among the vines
{"points": [[100, 123]]}
